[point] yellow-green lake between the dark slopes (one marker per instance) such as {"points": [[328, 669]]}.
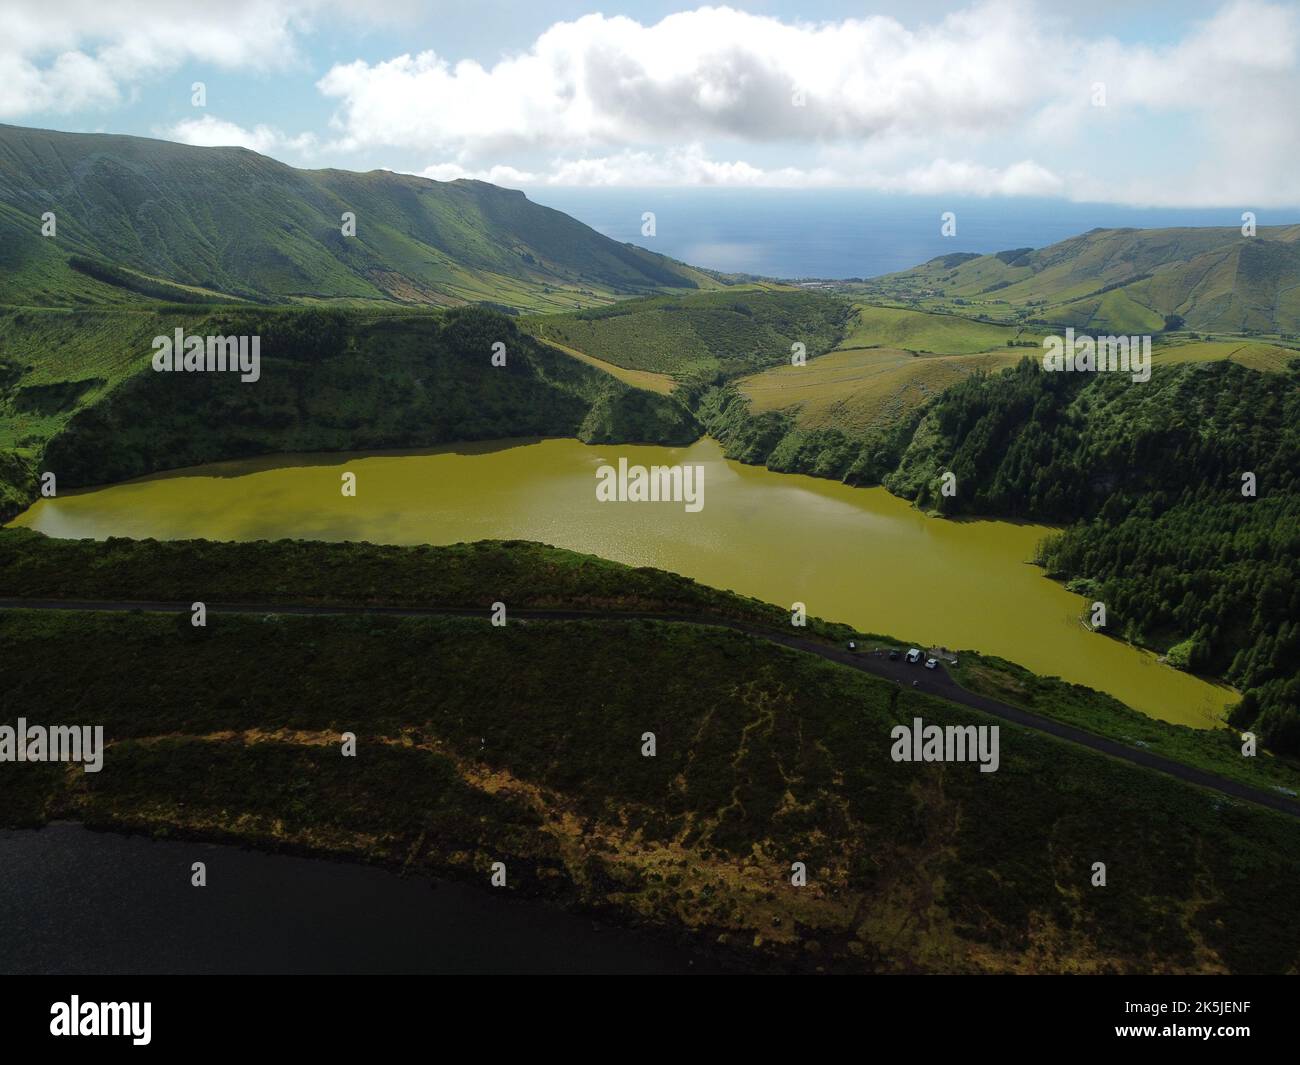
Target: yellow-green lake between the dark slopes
{"points": [[851, 555]]}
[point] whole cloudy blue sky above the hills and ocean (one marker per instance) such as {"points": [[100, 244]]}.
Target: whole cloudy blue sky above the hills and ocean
{"points": [[1158, 105]]}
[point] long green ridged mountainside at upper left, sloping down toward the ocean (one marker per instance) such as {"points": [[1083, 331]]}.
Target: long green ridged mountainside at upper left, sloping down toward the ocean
{"points": [[141, 219]]}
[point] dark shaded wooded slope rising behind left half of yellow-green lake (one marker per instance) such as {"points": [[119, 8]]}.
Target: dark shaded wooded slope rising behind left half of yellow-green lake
{"points": [[340, 382]]}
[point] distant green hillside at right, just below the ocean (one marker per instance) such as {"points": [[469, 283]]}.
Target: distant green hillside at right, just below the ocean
{"points": [[1124, 280]]}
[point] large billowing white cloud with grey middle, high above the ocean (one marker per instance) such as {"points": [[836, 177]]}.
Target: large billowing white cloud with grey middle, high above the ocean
{"points": [[714, 72]]}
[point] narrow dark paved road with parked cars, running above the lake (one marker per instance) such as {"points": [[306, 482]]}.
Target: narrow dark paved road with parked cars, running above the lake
{"points": [[930, 682]]}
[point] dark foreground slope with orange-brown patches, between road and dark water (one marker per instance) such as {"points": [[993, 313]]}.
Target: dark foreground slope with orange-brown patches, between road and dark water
{"points": [[764, 757]]}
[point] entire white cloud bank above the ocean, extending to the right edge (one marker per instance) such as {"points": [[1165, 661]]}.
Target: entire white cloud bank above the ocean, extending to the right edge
{"points": [[991, 101]]}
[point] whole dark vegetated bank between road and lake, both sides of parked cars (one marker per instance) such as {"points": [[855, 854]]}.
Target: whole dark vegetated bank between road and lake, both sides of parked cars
{"points": [[535, 577]]}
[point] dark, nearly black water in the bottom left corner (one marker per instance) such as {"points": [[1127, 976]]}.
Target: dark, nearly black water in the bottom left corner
{"points": [[94, 903]]}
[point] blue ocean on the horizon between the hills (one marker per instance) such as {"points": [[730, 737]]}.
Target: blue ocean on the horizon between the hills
{"points": [[848, 233]]}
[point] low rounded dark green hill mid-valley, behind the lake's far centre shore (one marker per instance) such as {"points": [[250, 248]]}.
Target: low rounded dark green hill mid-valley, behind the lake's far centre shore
{"points": [[701, 335]]}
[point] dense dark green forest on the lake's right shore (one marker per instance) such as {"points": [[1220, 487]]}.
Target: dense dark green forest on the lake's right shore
{"points": [[1155, 480]]}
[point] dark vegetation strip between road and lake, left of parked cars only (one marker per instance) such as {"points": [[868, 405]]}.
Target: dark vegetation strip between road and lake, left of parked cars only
{"points": [[296, 572]]}
